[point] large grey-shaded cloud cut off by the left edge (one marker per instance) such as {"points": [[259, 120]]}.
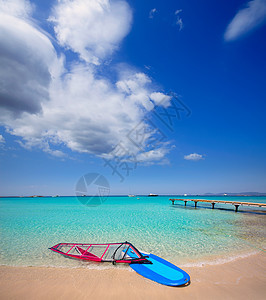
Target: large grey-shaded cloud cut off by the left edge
{"points": [[27, 59]]}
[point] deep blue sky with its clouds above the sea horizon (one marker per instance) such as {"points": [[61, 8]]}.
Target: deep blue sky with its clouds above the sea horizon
{"points": [[86, 87]]}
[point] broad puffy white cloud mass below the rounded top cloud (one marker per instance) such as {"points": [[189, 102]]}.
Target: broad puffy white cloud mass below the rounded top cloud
{"points": [[86, 114]]}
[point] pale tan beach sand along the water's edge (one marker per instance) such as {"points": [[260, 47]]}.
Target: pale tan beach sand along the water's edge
{"points": [[243, 278]]}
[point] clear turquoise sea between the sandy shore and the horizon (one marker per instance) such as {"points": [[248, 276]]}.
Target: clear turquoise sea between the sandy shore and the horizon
{"points": [[184, 235]]}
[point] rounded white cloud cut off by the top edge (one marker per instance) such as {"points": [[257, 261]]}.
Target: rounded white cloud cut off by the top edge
{"points": [[94, 28]]}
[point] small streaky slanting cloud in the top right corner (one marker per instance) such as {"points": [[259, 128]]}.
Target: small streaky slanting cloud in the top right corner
{"points": [[246, 20]]}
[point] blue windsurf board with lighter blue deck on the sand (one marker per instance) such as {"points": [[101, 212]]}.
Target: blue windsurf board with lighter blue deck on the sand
{"points": [[160, 271]]}
